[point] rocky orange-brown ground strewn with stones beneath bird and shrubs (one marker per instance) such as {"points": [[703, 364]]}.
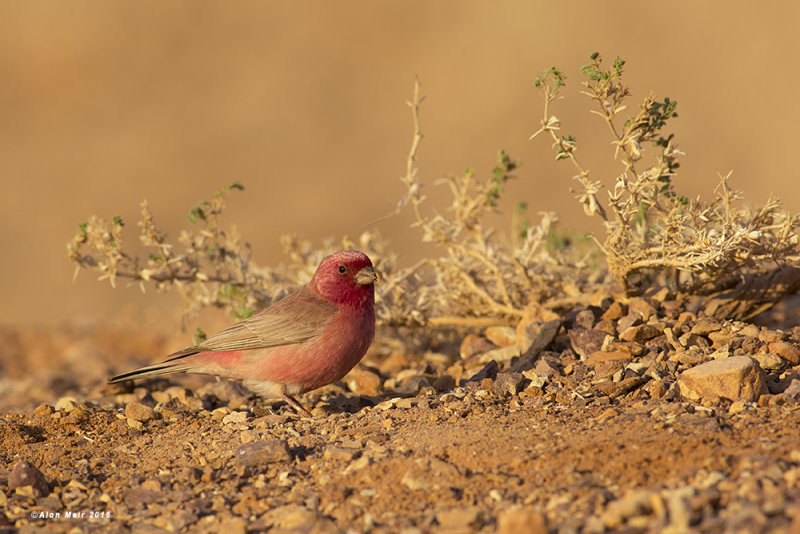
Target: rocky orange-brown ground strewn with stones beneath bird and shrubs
{"points": [[628, 416]]}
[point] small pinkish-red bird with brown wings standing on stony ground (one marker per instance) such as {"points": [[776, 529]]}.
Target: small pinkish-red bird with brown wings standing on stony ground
{"points": [[309, 339]]}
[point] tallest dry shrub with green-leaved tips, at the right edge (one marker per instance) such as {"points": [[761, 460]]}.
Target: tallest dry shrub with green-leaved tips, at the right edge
{"points": [[743, 259]]}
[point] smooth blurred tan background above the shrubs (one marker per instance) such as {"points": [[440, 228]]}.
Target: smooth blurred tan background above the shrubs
{"points": [[105, 104]]}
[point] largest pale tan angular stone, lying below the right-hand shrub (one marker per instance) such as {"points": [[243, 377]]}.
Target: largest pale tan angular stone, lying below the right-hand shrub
{"points": [[733, 378]]}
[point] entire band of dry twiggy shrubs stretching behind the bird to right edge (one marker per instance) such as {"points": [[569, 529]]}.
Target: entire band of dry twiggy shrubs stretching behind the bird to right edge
{"points": [[483, 277]]}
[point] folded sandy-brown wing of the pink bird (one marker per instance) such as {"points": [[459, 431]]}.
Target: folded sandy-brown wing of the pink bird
{"points": [[295, 319]]}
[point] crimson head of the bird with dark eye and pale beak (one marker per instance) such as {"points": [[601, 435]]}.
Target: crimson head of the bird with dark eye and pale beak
{"points": [[346, 277]]}
